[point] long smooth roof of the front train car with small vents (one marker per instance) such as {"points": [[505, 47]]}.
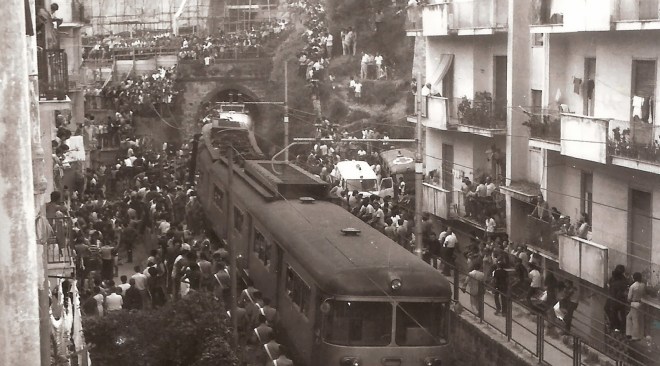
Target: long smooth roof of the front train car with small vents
{"points": [[342, 265]]}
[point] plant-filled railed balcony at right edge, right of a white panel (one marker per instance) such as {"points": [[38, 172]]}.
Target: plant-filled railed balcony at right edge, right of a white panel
{"points": [[634, 145]]}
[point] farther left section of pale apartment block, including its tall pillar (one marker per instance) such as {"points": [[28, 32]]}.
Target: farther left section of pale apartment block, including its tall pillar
{"points": [[474, 81]]}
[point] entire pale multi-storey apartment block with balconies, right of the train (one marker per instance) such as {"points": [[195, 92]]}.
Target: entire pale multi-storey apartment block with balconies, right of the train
{"points": [[575, 121]]}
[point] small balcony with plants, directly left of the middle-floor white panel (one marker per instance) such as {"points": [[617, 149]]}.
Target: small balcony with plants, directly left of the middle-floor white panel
{"points": [[544, 129]]}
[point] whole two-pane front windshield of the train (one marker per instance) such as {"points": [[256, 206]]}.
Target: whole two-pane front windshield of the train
{"points": [[363, 323]]}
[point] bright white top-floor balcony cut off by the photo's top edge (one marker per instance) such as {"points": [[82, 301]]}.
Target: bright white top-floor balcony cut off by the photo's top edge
{"points": [[559, 16]]}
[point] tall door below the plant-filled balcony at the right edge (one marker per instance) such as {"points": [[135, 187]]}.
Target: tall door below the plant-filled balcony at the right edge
{"points": [[640, 227]]}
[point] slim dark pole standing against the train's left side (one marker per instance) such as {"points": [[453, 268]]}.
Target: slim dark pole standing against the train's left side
{"points": [[232, 245]]}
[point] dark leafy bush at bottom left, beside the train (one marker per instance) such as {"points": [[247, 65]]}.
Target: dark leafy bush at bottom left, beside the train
{"points": [[192, 331]]}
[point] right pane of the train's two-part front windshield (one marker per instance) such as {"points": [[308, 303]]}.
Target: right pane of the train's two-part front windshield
{"points": [[421, 323]]}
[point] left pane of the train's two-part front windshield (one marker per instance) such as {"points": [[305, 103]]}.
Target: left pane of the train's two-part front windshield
{"points": [[358, 323]]}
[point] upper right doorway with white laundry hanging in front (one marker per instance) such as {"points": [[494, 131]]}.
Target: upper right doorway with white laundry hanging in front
{"points": [[643, 91]]}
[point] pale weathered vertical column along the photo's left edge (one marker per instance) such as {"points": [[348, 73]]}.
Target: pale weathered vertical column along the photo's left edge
{"points": [[19, 304]]}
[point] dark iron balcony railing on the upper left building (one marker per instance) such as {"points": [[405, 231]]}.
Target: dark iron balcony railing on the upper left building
{"points": [[53, 74]]}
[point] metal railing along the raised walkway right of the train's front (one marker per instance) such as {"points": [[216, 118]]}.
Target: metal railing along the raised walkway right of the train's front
{"points": [[527, 323]]}
